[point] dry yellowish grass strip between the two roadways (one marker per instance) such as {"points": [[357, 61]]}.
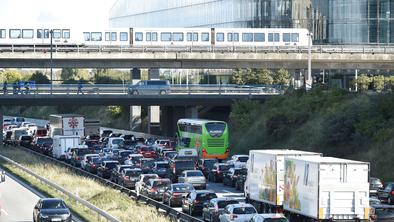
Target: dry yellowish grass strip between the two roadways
{"points": [[112, 201]]}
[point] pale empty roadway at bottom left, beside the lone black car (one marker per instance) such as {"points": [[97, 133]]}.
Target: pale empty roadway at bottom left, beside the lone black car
{"points": [[17, 201]]}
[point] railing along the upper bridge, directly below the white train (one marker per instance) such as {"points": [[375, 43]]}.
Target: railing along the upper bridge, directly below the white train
{"points": [[364, 49]]}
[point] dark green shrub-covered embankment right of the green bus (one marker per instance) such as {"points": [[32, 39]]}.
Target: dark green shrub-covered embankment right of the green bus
{"points": [[336, 123]]}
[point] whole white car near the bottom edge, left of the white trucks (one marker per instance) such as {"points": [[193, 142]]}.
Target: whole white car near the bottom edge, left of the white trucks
{"points": [[238, 213]]}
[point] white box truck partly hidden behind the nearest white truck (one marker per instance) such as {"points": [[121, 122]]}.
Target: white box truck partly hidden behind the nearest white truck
{"points": [[265, 182]]}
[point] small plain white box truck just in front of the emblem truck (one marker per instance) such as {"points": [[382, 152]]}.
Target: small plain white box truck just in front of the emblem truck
{"points": [[62, 143]]}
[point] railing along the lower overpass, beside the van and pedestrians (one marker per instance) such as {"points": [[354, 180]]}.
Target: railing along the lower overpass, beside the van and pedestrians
{"points": [[123, 89]]}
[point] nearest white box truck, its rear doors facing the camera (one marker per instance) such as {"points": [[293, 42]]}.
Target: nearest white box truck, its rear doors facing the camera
{"points": [[326, 188]]}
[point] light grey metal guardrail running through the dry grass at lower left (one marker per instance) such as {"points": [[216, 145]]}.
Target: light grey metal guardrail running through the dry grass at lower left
{"points": [[100, 213]]}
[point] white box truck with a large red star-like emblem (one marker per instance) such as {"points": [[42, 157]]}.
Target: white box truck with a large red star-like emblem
{"points": [[67, 125]]}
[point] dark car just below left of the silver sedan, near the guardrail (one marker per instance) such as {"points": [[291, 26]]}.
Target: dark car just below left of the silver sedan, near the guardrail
{"points": [[174, 194]]}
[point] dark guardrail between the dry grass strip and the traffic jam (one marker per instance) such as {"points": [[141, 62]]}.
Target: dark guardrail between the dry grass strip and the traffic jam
{"points": [[171, 212]]}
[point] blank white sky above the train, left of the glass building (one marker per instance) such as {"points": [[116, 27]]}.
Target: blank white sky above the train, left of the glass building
{"points": [[79, 13]]}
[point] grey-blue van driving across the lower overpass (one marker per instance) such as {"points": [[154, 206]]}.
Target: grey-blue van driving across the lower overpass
{"points": [[150, 87]]}
